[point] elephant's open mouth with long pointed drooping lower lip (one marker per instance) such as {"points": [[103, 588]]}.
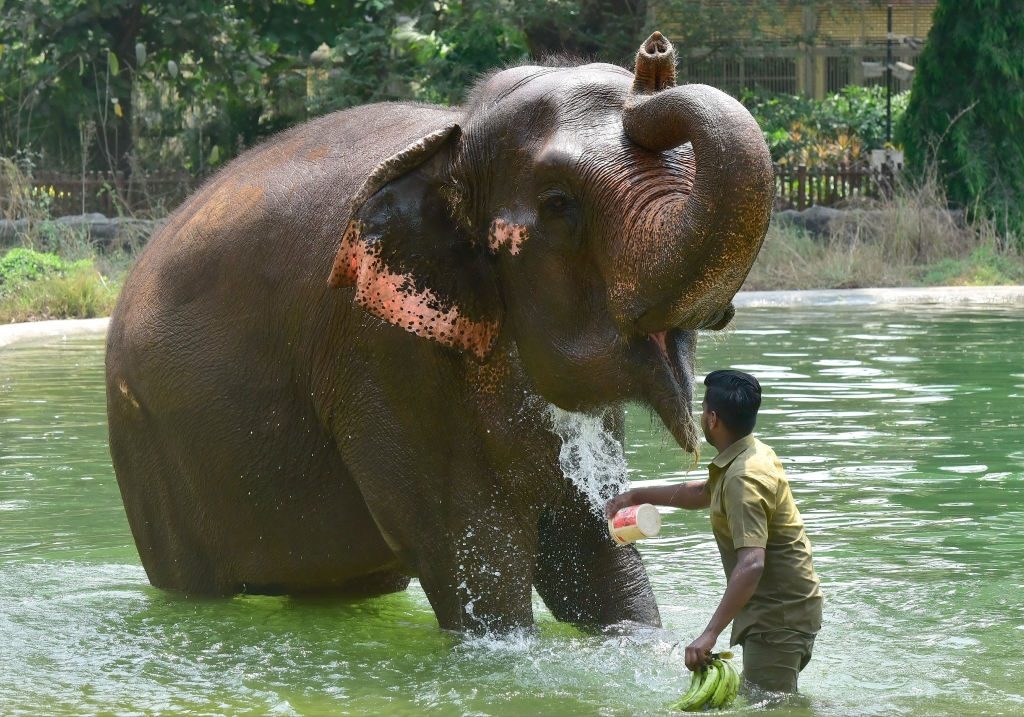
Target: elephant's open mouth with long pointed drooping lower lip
{"points": [[671, 388]]}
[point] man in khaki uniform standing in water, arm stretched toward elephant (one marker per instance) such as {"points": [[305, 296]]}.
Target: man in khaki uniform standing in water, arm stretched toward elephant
{"points": [[773, 599]]}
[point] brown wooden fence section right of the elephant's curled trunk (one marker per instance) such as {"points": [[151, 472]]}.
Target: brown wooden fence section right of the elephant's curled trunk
{"points": [[800, 188]]}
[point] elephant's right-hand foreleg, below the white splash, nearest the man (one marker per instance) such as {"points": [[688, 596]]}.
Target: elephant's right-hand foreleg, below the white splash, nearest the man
{"points": [[585, 578]]}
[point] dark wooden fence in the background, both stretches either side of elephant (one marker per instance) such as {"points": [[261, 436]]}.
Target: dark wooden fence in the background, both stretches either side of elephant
{"points": [[796, 188]]}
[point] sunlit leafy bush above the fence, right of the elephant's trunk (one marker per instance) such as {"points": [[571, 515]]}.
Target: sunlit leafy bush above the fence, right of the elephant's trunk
{"points": [[843, 128]]}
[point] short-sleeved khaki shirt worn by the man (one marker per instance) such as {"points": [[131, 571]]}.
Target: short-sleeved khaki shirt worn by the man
{"points": [[752, 508]]}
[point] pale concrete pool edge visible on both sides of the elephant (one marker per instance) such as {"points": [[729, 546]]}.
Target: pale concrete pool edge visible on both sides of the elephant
{"points": [[942, 297]]}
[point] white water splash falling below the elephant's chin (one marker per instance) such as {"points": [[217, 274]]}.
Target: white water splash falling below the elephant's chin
{"points": [[591, 457]]}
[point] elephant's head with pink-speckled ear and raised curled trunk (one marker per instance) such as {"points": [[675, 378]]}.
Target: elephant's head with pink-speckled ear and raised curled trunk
{"points": [[594, 218]]}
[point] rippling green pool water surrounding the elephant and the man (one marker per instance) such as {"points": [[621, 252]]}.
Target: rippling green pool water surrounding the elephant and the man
{"points": [[902, 433]]}
